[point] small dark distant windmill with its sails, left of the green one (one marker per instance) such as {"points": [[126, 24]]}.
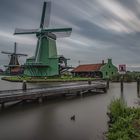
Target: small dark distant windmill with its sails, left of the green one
{"points": [[13, 58]]}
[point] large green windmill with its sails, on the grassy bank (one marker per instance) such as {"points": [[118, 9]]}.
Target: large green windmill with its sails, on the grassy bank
{"points": [[45, 62]]}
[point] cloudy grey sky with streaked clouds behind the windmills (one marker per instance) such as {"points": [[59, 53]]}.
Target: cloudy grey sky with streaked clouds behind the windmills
{"points": [[101, 29]]}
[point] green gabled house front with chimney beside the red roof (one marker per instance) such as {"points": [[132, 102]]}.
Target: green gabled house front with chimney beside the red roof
{"points": [[108, 70]]}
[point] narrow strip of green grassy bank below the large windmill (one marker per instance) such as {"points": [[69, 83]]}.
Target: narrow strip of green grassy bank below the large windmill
{"points": [[38, 79]]}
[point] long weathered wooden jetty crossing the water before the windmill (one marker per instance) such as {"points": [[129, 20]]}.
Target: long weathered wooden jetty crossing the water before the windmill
{"points": [[40, 93]]}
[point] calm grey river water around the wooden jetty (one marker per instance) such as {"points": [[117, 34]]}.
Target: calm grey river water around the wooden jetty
{"points": [[51, 121]]}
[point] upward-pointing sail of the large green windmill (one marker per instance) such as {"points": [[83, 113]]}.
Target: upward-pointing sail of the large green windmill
{"points": [[45, 18]]}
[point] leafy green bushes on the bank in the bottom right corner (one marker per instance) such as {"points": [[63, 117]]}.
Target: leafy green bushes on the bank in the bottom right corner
{"points": [[124, 121]]}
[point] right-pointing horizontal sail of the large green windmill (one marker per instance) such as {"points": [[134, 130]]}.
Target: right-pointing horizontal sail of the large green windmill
{"points": [[60, 32]]}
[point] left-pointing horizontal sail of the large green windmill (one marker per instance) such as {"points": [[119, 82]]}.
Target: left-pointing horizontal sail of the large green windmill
{"points": [[25, 31]]}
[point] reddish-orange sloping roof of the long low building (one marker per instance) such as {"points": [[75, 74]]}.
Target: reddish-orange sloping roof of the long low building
{"points": [[88, 68]]}
